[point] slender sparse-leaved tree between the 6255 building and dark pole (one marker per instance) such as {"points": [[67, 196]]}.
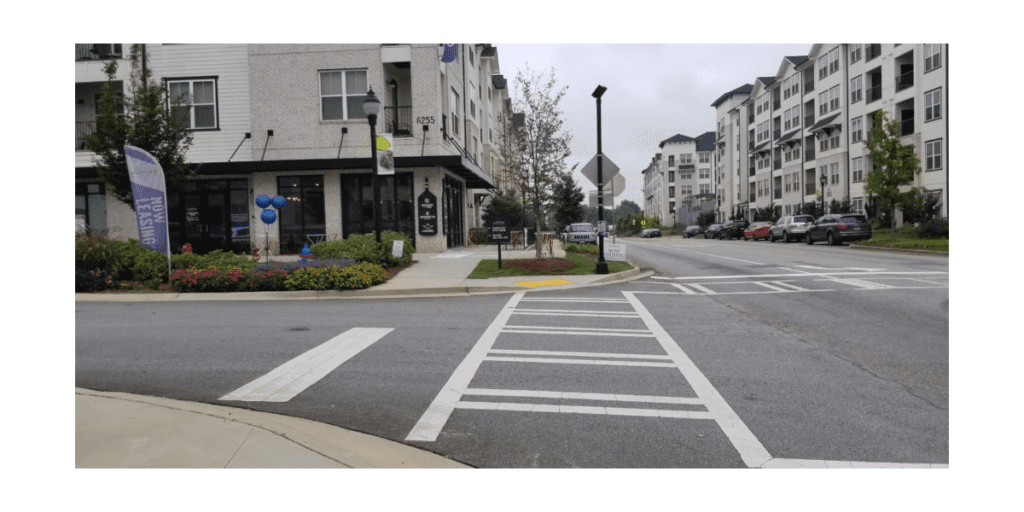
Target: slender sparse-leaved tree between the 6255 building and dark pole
{"points": [[543, 145]]}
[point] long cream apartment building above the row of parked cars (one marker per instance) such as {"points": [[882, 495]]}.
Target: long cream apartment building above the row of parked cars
{"points": [[780, 137]]}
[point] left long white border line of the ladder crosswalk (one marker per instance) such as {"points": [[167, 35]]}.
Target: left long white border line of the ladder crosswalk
{"points": [[441, 410]]}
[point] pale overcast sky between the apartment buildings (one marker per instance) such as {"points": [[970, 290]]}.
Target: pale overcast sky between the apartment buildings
{"points": [[655, 93]]}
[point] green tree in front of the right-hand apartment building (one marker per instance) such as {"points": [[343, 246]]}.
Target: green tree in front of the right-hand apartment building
{"points": [[894, 165]]}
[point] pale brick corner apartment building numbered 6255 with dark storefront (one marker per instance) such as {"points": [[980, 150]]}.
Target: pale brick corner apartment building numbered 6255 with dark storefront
{"points": [[288, 120]]}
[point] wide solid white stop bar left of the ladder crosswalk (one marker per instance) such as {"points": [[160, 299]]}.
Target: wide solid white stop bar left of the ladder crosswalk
{"points": [[293, 377]]}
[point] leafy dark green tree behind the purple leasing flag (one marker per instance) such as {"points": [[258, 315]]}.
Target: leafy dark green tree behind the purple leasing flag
{"points": [[141, 118]]}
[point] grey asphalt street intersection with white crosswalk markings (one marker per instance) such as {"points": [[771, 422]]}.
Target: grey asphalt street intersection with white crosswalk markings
{"points": [[733, 355]]}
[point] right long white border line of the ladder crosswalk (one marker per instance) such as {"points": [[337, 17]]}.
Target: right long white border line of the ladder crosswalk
{"points": [[750, 449]]}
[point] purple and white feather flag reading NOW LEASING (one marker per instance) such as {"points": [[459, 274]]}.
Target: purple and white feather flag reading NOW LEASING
{"points": [[150, 193]]}
